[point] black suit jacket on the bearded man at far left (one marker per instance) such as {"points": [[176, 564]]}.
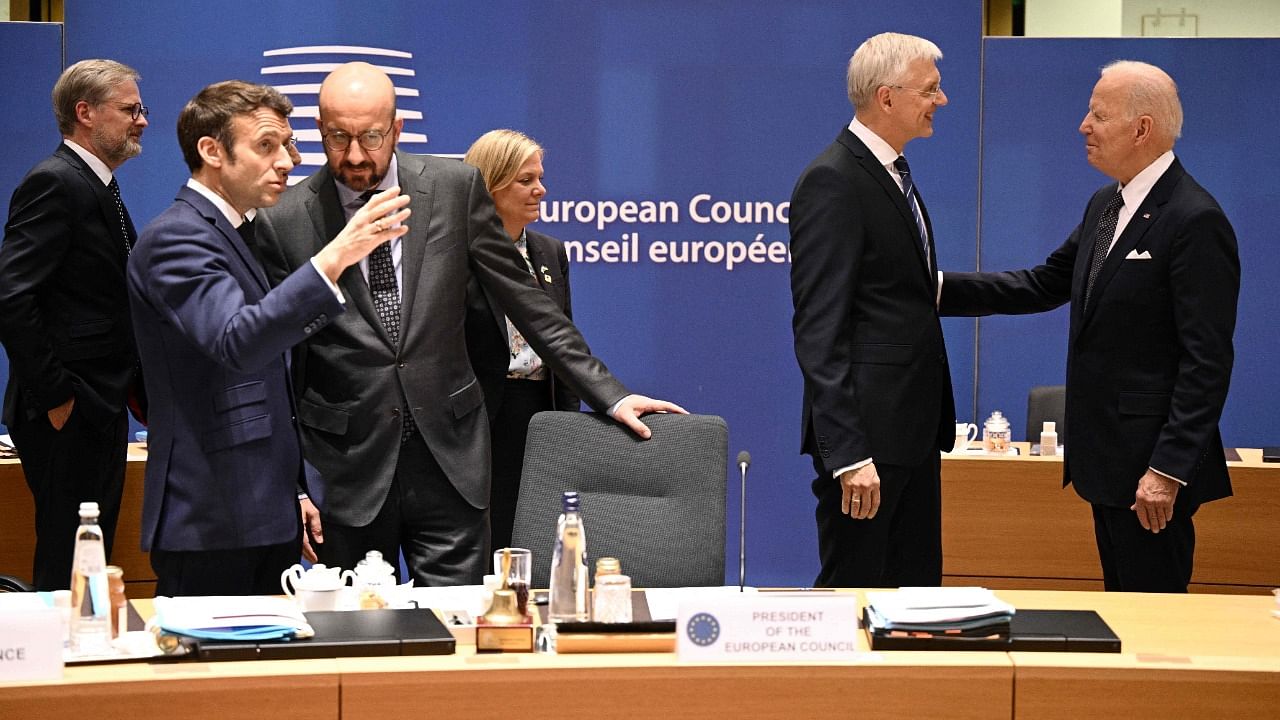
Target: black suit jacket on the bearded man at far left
{"points": [[66, 320]]}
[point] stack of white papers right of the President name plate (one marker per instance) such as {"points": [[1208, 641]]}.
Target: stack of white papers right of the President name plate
{"points": [[953, 612]]}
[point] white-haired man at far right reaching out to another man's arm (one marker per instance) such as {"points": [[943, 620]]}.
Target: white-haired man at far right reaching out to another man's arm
{"points": [[1154, 275]]}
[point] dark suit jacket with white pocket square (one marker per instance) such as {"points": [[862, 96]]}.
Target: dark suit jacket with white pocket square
{"points": [[1150, 359]]}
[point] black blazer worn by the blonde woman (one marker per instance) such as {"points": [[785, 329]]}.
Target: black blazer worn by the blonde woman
{"points": [[488, 344]]}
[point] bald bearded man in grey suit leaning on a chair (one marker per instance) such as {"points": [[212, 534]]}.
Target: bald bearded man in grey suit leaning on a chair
{"points": [[391, 412]]}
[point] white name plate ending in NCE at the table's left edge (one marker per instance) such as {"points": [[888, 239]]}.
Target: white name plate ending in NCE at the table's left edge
{"points": [[31, 639]]}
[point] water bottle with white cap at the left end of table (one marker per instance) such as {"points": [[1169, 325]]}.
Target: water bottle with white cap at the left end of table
{"points": [[92, 595]]}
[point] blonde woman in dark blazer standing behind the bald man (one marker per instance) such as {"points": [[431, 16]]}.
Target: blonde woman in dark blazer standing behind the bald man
{"points": [[515, 381]]}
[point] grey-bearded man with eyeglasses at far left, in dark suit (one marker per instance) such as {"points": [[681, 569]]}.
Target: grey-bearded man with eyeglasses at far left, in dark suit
{"points": [[66, 315]]}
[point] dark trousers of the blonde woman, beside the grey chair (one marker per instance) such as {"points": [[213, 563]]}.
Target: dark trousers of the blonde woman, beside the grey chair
{"points": [[509, 430]]}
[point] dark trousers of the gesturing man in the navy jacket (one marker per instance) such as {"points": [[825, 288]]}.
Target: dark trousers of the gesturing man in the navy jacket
{"points": [[248, 571]]}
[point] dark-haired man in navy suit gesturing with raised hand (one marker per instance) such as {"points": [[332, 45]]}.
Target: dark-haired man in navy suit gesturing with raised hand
{"points": [[221, 512]]}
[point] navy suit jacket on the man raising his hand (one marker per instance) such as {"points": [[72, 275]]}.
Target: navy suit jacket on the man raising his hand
{"points": [[226, 461]]}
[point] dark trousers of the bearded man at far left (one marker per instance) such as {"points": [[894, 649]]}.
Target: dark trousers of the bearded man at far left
{"points": [[81, 463]]}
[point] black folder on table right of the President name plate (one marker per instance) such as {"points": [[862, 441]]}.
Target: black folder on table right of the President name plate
{"points": [[1037, 631]]}
